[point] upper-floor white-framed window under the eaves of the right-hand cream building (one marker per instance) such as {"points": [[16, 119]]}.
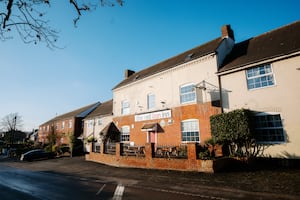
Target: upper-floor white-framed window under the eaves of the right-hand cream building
{"points": [[261, 76]]}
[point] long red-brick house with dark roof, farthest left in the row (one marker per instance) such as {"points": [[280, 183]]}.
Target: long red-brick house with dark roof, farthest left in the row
{"points": [[65, 125]]}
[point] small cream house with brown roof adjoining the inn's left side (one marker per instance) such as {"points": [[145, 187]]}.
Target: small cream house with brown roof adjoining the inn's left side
{"points": [[97, 124]]}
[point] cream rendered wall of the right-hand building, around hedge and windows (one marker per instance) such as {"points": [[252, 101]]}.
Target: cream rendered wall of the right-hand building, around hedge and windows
{"points": [[283, 98]]}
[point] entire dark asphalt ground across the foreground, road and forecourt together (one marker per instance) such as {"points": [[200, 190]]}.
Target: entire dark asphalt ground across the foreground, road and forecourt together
{"points": [[75, 178]]}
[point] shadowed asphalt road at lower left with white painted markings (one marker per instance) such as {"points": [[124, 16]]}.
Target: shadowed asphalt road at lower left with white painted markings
{"points": [[34, 185]]}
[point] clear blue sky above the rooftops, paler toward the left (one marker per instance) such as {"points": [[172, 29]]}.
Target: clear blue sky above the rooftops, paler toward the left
{"points": [[39, 83]]}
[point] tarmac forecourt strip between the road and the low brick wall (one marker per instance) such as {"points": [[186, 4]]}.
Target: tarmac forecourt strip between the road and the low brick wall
{"points": [[268, 184]]}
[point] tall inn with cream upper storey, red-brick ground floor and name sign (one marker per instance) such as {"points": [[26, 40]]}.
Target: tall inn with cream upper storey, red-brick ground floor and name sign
{"points": [[171, 102]]}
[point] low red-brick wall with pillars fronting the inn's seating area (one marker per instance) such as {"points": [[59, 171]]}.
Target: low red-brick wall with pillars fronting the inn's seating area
{"points": [[149, 162]]}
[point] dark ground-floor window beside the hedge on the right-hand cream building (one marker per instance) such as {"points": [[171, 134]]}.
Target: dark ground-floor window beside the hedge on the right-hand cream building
{"points": [[269, 126]]}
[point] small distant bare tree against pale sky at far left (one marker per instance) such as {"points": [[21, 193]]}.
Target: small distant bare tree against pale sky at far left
{"points": [[11, 122]]}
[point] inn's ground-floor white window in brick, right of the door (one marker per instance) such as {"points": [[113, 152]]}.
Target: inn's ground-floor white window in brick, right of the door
{"points": [[190, 131]]}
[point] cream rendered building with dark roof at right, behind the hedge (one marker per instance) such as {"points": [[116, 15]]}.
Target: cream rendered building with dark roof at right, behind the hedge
{"points": [[261, 74]]}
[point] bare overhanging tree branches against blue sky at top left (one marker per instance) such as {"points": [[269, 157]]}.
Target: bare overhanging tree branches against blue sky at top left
{"points": [[27, 18]]}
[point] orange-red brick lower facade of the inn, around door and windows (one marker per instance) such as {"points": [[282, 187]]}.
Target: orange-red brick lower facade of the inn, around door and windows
{"points": [[171, 132]]}
